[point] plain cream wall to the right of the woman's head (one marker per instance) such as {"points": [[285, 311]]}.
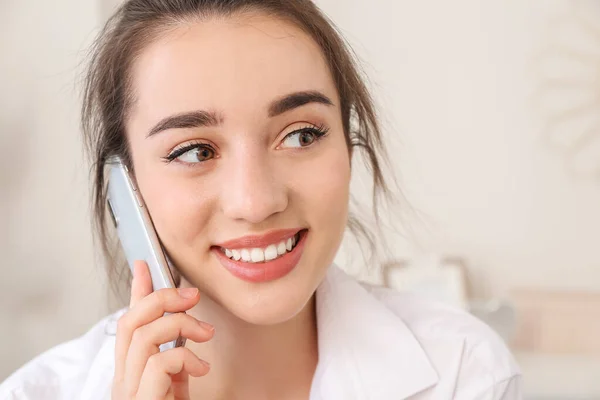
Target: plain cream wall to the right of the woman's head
{"points": [[460, 86]]}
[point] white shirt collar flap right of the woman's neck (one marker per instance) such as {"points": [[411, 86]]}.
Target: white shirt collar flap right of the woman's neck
{"points": [[365, 350]]}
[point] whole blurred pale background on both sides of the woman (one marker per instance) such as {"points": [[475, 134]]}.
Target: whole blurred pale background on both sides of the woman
{"points": [[491, 112]]}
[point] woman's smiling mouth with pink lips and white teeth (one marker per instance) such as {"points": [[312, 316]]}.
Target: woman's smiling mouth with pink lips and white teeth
{"points": [[262, 258]]}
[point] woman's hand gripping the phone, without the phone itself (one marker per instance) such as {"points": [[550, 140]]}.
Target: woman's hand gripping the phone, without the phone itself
{"points": [[141, 370]]}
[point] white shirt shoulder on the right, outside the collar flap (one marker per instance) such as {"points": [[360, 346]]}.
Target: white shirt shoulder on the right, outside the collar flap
{"points": [[462, 349]]}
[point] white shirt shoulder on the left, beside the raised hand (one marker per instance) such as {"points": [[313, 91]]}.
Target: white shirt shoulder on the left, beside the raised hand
{"points": [[62, 371]]}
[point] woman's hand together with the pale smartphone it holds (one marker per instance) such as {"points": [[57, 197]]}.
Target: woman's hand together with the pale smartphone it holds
{"points": [[151, 360]]}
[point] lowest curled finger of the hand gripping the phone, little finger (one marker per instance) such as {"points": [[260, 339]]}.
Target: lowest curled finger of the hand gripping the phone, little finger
{"points": [[160, 369]]}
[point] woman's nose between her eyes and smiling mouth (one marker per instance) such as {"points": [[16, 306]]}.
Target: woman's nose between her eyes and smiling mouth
{"points": [[252, 192]]}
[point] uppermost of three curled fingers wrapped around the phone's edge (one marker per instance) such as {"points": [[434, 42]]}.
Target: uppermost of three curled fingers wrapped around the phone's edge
{"points": [[146, 310]]}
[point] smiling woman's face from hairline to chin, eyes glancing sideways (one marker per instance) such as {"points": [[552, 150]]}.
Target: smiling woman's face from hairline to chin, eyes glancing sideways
{"points": [[239, 152]]}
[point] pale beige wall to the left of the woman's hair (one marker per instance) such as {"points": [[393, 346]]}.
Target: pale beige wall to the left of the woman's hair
{"points": [[50, 290]]}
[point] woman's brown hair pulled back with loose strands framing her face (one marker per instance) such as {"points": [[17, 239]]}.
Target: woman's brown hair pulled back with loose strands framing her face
{"points": [[108, 94]]}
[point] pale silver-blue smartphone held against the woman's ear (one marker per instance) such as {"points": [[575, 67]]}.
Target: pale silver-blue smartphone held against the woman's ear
{"points": [[136, 231]]}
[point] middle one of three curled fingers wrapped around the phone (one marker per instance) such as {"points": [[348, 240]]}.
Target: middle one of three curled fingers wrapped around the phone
{"points": [[146, 340]]}
